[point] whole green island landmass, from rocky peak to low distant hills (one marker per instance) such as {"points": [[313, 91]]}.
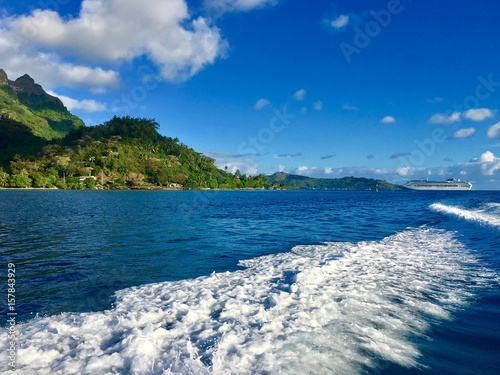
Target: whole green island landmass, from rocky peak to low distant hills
{"points": [[43, 145]]}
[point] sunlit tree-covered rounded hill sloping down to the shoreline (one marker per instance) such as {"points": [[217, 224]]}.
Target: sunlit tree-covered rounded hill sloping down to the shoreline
{"points": [[122, 153]]}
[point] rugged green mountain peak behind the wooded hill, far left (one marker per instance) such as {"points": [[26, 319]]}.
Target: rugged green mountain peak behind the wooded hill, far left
{"points": [[25, 102]]}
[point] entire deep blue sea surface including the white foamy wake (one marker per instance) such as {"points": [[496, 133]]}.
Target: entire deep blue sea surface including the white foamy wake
{"points": [[250, 282]]}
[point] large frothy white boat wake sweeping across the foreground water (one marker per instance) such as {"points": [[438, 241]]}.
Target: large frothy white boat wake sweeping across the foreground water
{"points": [[335, 308]]}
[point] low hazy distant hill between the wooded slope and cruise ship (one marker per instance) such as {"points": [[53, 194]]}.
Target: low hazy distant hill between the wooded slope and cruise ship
{"points": [[281, 179]]}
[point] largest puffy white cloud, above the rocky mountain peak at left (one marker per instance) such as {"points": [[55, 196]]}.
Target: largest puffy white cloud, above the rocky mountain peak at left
{"points": [[111, 32]]}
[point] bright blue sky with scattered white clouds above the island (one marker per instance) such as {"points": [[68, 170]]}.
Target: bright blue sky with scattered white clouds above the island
{"points": [[394, 90]]}
